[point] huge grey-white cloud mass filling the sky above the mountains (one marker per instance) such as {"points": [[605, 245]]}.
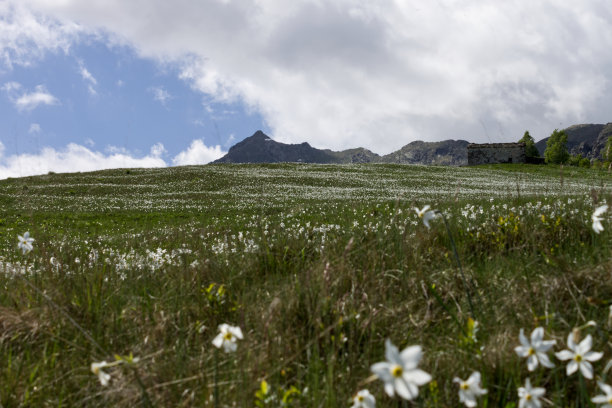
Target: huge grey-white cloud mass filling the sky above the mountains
{"points": [[348, 73]]}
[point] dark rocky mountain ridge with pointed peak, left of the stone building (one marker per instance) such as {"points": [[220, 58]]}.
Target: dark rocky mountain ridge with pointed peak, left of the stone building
{"points": [[259, 148]]}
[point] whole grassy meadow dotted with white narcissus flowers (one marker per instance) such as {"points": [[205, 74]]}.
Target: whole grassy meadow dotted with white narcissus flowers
{"points": [[307, 285]]}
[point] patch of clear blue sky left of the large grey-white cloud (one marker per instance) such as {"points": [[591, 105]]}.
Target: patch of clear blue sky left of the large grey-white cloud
{"points": [[107, 98]]}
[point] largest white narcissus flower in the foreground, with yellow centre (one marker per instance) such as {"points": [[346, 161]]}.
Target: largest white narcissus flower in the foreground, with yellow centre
{"points": [[400, 373]]}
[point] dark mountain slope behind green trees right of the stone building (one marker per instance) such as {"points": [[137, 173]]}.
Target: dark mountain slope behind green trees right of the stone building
{"points": [[589, 140]]}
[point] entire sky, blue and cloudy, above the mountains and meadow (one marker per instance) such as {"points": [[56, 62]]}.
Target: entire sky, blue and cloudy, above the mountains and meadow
{"points": [[90, 84]]}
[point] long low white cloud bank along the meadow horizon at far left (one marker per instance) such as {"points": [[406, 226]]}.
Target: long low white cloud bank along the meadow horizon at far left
{"points": [[72, 158]]}
